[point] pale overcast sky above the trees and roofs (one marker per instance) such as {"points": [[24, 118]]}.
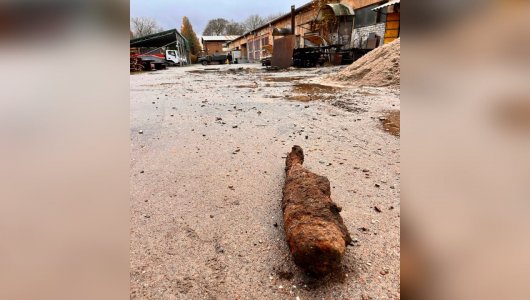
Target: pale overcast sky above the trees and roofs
{"points": [[169, 13]]}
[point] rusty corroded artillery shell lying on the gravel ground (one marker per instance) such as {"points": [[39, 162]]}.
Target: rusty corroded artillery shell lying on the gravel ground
{"points": [[314, 228]]}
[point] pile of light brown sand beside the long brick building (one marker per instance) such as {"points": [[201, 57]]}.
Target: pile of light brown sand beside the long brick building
{"points": [[379, 67]]}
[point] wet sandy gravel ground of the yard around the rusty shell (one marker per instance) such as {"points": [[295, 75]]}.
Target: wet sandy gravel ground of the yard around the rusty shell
{"points": [[207, 172]]}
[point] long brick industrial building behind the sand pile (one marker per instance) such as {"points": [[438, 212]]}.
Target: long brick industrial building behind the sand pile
{"points": [[347, 26]]}
